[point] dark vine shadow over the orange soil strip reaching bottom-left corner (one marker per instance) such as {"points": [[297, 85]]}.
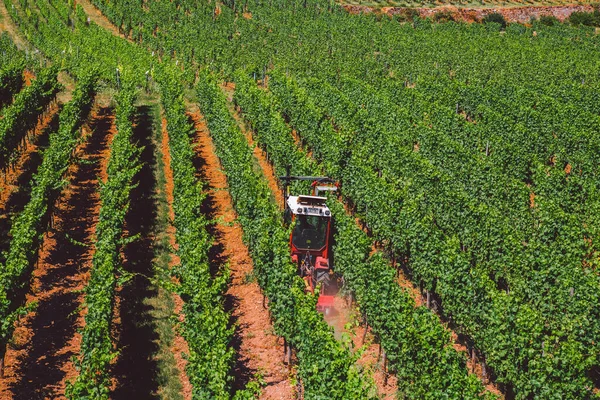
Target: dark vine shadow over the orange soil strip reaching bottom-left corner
{"points": [[54, 322]]}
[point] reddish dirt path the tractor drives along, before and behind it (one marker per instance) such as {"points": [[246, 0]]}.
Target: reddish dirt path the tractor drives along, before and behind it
{"points": [[343, 318]]}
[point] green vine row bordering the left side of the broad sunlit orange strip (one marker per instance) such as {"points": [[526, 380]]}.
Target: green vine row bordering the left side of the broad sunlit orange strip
{"points": [[206, 325]]}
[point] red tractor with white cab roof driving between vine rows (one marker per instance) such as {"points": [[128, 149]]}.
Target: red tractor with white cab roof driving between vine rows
{"points": [[312, 236]]}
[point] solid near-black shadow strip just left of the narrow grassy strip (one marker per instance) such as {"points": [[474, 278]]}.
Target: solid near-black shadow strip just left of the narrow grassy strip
{"points": [[136, 368]]}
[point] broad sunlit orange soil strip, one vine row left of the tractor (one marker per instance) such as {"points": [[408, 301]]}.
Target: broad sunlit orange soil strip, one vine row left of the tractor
{"points": [[258, 349]]}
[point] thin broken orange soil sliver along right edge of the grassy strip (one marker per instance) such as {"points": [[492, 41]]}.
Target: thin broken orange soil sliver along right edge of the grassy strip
{"points": [[180, 346]]}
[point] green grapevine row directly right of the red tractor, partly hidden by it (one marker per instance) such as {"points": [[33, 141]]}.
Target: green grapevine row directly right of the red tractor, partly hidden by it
{"points": [[417, 346]]}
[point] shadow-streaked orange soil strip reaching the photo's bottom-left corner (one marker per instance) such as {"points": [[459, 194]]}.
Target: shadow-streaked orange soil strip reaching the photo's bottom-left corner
{"points": [[39, 359]]}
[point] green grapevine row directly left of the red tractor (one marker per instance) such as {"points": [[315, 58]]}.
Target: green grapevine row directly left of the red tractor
{"points": [[326, 368]]}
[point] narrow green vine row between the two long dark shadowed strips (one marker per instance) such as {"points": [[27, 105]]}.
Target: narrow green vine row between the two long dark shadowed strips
{"points": [[96, 352]]}
